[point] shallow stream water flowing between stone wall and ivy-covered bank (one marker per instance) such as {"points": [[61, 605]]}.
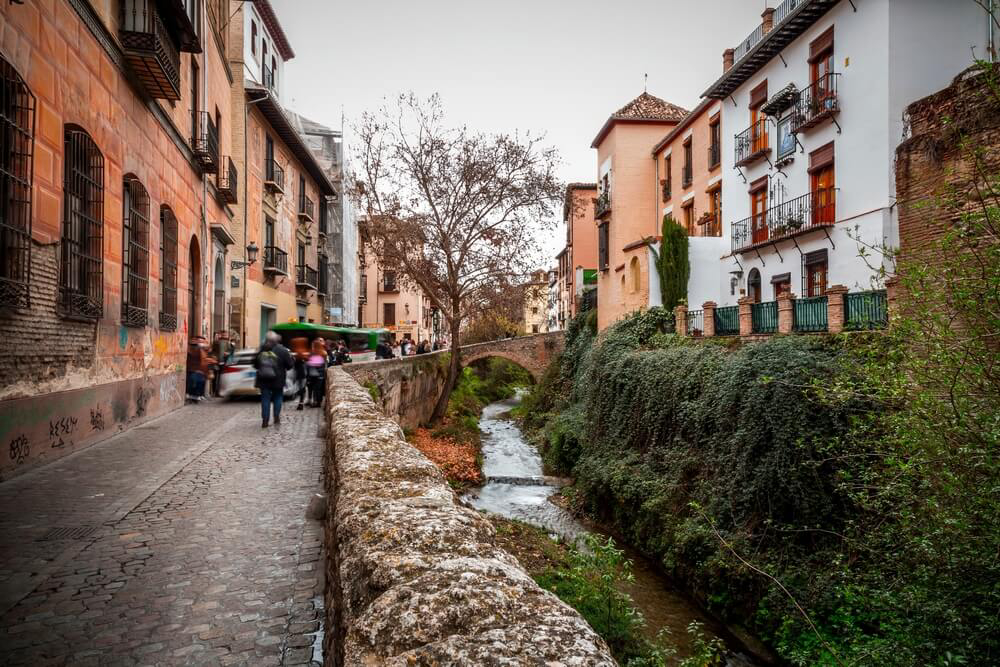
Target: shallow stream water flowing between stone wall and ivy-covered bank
{"points": [[515, 488]]}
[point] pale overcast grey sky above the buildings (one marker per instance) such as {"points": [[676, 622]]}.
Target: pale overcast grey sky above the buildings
{"points": [[555, 66]]}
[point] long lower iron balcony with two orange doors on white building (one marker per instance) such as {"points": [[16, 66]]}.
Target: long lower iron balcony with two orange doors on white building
{"points": [[815, 210]]}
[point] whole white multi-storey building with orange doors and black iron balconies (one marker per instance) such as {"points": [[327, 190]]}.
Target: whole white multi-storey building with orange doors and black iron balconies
{"points": [[812, 103]]}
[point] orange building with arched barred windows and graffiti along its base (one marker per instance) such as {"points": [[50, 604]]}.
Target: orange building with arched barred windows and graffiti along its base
{"points": [[117, 111]]}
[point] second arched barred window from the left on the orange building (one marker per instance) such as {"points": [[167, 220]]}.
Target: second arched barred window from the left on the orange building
{"points": [[81, 275]]}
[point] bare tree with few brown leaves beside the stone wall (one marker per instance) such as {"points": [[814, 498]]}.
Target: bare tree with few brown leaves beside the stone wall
{"points": [[456, 212]]}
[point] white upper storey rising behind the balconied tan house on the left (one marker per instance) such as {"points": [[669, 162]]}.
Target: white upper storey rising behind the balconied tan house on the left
{"points": [[265, 47]]}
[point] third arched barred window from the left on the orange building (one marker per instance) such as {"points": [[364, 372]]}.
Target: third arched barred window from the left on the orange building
{"points": [[135, 253]]}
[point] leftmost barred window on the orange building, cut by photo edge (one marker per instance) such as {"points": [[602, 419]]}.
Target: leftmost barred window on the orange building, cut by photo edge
{"points": [[17, 123]]}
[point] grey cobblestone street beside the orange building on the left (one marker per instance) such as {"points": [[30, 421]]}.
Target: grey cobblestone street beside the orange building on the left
{"points": [[183, 541]]}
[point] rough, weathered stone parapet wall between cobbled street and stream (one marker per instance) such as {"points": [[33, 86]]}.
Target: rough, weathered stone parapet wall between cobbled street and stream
{"points": [[415, 578]]}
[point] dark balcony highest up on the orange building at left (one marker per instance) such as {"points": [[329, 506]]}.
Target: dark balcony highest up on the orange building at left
{"points": [[149, 49]]}
